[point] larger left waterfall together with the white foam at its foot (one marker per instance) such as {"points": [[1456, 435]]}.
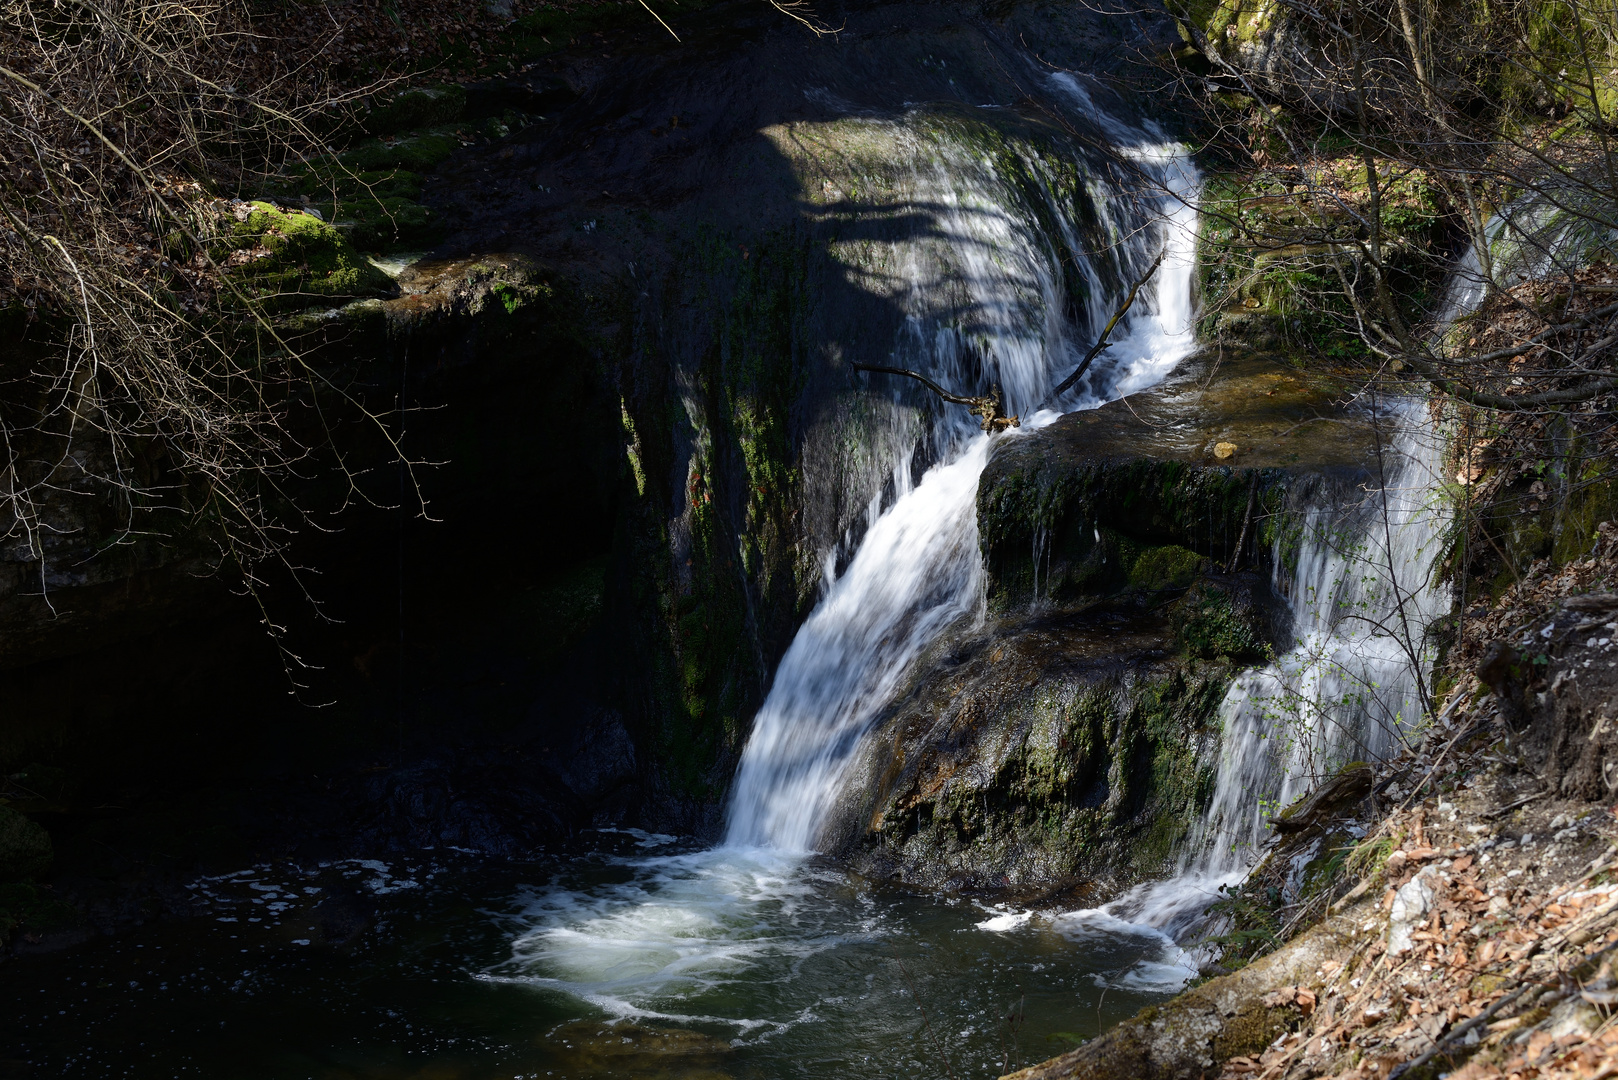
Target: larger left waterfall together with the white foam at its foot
{"points": [[986, 304]]}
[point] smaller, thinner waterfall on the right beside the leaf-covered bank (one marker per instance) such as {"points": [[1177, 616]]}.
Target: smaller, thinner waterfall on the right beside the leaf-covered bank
{"points": [[1362, 593]]}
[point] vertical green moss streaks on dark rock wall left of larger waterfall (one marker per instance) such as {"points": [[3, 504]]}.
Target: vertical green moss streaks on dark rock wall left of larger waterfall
{"points": [[740, 587]]}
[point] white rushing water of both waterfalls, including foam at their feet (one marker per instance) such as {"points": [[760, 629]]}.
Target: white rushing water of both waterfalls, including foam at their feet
{"points": [[666, 937]]}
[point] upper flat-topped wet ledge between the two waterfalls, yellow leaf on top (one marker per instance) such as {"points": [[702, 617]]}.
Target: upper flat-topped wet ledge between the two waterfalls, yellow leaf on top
{"points": [[1201, 474]]}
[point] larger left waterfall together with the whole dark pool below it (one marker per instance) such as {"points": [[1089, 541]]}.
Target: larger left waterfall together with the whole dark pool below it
{"points": [[755, 959]]}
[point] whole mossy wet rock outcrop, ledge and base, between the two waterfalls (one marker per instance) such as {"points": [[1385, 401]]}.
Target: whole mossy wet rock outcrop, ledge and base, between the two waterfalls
{"points": [[1065, 747]]}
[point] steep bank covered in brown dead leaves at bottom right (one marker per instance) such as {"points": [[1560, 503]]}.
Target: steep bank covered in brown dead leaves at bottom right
{"points": [[1470, 933]]}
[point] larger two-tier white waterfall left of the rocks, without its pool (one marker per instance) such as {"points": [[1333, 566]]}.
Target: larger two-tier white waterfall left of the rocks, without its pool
{"points": [[920, 568]]}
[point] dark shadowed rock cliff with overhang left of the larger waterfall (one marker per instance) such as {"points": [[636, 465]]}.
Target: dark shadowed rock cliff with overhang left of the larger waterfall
{"points": [[625, 375]]}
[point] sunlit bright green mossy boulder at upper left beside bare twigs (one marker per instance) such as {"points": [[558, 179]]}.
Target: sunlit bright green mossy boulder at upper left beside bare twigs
{"points": [[290, 258]]}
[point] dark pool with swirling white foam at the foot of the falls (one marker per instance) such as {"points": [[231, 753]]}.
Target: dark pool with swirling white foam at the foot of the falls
{"points": [[688, 964]]}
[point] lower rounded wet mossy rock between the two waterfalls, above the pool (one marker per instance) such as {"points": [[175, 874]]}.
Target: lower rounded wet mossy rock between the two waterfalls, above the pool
{"points": [[1049, 754]]}
